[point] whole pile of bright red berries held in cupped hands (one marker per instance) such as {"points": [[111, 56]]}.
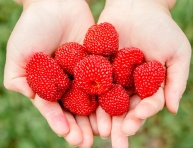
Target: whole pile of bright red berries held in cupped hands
{"points": [[95, 73]]}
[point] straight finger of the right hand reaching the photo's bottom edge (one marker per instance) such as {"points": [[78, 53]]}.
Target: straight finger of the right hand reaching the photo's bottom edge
{"points": [[117, 137]]}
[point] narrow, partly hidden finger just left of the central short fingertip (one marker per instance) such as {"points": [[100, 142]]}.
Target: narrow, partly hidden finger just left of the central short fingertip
{"points": [[93, 122]]}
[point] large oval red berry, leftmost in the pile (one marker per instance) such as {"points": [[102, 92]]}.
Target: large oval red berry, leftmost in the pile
{"points": [[45, 77]]}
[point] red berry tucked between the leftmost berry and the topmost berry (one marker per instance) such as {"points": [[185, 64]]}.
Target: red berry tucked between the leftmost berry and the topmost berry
{"points": [[68, 55]]}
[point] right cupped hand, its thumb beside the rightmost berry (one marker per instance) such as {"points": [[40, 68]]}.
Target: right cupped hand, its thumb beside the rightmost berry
{"points": [[147, 24]]}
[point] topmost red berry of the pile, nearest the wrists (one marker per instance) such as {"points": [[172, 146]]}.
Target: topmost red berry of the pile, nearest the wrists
{"points": [[102, 39]]}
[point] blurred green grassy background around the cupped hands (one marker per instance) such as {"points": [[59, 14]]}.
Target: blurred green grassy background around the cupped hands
{"points": [[22, 126]]}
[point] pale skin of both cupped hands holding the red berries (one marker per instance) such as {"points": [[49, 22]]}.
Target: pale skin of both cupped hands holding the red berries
{"points": [[146, 24]]}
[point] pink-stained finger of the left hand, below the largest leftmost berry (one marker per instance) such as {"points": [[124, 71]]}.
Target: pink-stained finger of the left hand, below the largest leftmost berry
{"points": [[54, 115]]}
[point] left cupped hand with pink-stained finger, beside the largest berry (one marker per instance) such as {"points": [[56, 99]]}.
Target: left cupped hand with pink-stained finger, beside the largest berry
{"points": [[43, 26]]}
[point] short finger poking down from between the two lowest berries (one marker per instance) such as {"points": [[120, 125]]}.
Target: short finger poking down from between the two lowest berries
{"points": [[103, 122]]}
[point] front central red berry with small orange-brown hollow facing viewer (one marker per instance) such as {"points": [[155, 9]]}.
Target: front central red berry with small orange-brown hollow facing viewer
{"points": [[93, 74]]}
